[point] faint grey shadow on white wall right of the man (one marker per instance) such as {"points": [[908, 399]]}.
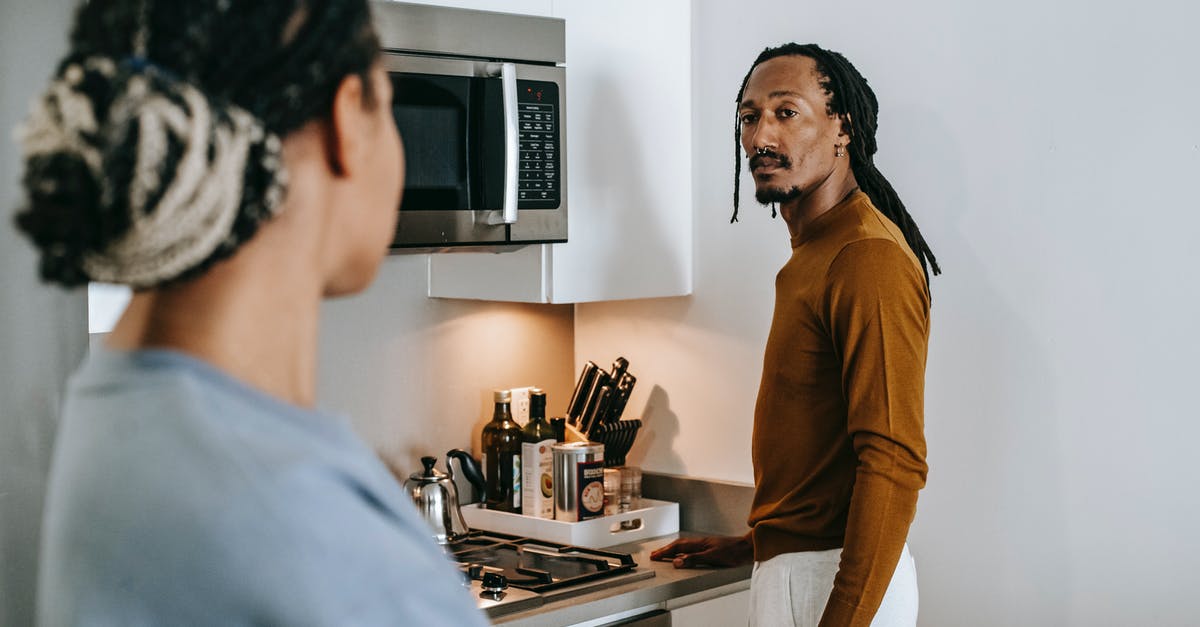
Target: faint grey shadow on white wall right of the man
{"points": [[992, 526]]}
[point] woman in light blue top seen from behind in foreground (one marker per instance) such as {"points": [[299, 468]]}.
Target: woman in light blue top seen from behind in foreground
{"points": [[235, 163]]}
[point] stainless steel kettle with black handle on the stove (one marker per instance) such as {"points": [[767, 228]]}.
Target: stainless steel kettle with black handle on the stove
{"points": [[437, 499]]}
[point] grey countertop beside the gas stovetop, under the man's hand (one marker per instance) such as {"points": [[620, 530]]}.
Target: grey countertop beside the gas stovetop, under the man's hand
{"points": [[668, 589]]}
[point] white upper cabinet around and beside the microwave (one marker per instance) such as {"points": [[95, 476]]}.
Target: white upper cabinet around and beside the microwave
{"points": [[629, 165]]}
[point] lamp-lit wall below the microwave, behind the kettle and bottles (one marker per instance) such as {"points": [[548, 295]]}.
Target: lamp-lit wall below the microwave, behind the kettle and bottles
{"points": [[416, 375]]}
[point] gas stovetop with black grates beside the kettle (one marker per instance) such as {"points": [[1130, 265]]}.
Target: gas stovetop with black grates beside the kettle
{"points": [[520, 574]]}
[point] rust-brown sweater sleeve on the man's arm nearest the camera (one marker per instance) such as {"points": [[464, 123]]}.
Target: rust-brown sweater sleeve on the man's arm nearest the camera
{"points": [[878, 315]]}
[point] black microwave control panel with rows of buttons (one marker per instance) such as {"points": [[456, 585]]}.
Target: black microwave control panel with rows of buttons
{"points": [[541, 165]]}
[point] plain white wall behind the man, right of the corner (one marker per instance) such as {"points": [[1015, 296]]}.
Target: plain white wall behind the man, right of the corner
{"points": [[1048, 152]]}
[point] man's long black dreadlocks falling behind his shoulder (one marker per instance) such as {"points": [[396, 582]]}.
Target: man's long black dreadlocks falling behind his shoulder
{"points": [[851, 99]]}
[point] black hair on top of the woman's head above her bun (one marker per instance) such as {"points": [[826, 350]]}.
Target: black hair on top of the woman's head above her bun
{"points": [[242, 55]]}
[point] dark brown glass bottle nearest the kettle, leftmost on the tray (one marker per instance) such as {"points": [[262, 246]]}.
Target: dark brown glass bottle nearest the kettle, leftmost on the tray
{"points": [[502, 457]]}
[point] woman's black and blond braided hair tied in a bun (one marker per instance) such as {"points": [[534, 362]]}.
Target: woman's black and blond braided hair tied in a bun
{"points": [[155, 152]]}
